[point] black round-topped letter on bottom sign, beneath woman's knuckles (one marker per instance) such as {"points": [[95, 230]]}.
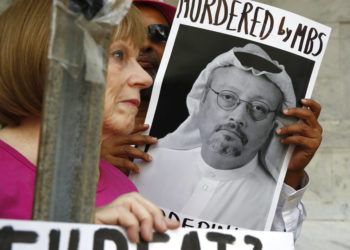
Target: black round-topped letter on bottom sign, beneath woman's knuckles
{"points": [[109, 234]]}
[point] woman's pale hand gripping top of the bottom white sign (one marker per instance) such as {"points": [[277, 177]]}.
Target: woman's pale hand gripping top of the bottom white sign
{"points": [[137, 215]]}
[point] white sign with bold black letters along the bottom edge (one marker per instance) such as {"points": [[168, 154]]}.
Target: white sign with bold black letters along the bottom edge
{"points": [[34, 235]]}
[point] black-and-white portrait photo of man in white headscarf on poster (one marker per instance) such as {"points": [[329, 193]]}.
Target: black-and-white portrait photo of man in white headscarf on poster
{"points": [[219, 157]]}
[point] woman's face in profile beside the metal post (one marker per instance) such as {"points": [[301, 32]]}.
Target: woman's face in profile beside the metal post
{"points": [[125, 79]]}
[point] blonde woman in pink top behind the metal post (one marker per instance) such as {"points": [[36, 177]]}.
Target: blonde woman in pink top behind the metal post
{"points": [[24, 29]]}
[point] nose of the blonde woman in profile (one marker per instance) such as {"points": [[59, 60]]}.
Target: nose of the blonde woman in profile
{"points": [[139, 78]]}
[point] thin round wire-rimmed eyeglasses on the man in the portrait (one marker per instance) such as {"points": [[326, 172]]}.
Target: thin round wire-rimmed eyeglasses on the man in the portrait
{"points": [[229, 100]]}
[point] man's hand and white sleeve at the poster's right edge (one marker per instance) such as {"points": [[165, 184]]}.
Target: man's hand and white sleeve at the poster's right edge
{"points": [[306, 135]]}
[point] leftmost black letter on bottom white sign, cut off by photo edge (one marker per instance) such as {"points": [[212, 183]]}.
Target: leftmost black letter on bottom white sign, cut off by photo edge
{"points": [[8, 236]]}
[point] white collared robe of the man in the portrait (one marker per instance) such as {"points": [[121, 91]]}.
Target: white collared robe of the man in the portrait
{"points": [[181, 181]]}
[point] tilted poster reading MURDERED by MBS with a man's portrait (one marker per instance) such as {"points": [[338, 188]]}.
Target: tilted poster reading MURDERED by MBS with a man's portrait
{"points": [[228, 70]]}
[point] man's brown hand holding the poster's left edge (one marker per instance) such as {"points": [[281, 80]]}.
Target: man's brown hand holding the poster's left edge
{"points": [[120, 152]]}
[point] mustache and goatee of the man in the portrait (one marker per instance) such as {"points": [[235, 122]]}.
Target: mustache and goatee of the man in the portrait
{"points": [[228, 140]]}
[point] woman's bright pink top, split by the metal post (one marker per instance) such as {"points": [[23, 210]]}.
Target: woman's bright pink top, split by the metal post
{"points": [[17, 184]]}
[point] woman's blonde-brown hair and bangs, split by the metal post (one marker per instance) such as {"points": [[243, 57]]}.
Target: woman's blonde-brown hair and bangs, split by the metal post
{"points": [[24, 29]]}
